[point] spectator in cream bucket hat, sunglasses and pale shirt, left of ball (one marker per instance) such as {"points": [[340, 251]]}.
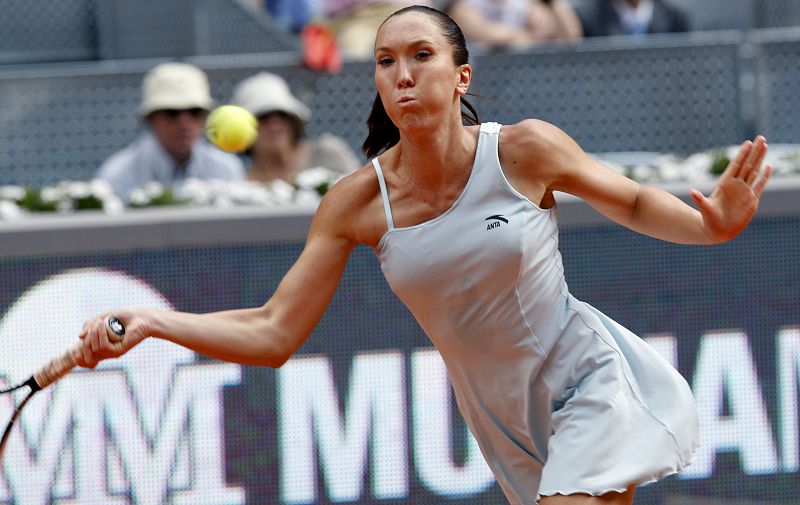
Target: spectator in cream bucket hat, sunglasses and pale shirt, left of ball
{"points": [[175, 102]]}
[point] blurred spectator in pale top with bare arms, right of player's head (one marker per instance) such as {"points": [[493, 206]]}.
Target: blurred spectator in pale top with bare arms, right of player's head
{"points": [[515, 23]]}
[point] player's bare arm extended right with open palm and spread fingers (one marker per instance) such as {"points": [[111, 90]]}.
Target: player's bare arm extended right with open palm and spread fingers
{"points": [[554, 162]]}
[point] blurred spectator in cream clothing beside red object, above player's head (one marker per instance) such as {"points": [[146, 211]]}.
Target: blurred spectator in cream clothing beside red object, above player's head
{"points": [[356, 22]]}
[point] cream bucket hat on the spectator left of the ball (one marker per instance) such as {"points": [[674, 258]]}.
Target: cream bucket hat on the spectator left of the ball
{"points": [[175, 86]]}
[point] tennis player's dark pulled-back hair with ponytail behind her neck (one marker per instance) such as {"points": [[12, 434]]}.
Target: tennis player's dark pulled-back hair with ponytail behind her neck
{"points": [[383, 134]]}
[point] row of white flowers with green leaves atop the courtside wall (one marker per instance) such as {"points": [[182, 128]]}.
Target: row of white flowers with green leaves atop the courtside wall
{"points": [[310, 185]]}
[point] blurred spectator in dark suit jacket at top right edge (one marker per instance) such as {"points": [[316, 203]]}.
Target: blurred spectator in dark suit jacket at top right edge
{"points": [[631, 17]]}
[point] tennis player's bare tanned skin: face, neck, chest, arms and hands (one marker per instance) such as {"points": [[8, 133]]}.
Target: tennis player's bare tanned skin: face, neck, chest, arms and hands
{"points": [[420, 87]]}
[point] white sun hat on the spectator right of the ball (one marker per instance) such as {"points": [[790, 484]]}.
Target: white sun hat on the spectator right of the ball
{"points": [[265, 92]]}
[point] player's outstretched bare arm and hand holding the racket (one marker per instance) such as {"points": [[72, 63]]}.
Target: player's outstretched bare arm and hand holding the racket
{"points": [[266, 335]]}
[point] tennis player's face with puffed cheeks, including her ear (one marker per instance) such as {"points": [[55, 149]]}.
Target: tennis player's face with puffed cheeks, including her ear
{"points": [[416, 77]]}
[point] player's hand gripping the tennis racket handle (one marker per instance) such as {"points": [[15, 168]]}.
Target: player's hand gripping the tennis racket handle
{"points": [[101, 342]]}
